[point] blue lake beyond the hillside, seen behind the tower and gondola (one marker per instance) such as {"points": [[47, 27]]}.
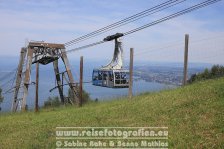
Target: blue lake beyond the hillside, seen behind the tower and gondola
{"points": [[47, 82]]}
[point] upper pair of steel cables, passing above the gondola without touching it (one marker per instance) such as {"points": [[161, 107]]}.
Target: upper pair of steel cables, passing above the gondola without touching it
{"points": [[125, 21]]}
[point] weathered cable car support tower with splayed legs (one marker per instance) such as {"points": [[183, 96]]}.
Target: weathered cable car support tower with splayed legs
{"points": [[43, 53]]}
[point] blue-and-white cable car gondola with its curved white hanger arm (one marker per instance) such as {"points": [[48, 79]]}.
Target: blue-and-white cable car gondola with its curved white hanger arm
{"points": [[113, 75]]}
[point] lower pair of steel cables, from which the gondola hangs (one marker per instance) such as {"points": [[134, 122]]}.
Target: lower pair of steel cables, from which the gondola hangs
{"points": [[179, 13]]}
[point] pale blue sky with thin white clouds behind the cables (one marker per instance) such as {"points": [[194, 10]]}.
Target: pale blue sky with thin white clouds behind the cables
{"points": [[60, 21]]}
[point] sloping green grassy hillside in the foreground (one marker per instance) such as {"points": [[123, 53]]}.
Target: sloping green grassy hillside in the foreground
{"points": [[193, 114]]}
